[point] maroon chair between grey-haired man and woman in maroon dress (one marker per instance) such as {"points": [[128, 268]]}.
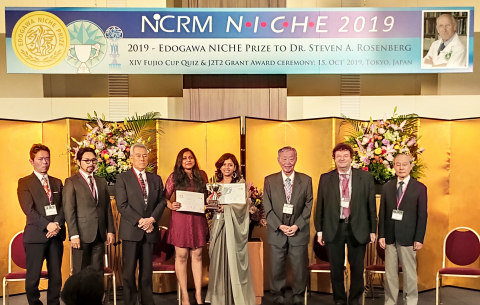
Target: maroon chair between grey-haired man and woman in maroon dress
{"points": [[162, 252]]}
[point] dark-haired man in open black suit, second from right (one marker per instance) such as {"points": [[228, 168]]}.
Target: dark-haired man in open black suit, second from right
{"points": [[346, 214]]}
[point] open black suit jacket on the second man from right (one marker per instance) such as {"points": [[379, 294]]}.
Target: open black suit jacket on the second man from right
{"points": [[363, 209]]}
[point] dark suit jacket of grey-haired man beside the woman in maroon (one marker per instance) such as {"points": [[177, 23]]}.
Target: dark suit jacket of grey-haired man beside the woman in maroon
{"points": [[130, 204]]}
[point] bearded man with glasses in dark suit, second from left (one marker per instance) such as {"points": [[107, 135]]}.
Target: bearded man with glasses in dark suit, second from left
{"points": [[88, 213]]}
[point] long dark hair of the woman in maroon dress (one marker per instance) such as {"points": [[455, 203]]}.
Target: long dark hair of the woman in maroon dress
{"points": [[180, 178]]}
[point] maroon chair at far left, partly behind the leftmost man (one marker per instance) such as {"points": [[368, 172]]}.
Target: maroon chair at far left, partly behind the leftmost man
{"points": [[16, 253]]}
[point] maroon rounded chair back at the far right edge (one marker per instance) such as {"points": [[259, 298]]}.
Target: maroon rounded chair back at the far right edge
{"points": [[461, 246]]}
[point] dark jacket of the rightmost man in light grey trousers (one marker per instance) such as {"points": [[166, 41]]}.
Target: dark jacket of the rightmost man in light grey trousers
{"points": [[413, 225]]}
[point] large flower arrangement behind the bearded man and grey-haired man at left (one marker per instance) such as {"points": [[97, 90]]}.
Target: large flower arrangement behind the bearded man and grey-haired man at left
{"points": [[112, 142]]}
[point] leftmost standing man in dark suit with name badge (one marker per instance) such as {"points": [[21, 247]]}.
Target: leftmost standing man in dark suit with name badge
{"points": [[40, 197]]}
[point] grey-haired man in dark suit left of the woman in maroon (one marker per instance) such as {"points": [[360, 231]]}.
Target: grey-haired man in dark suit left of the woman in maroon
{"points": [[140, 200]]}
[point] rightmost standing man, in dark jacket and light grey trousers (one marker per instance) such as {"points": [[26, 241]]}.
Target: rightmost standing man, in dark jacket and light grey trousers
{"points": [[401, 229]]}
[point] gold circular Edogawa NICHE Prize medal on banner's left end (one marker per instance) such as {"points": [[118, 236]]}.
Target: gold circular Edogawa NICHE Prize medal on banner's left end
{"points": [[40, 40]]}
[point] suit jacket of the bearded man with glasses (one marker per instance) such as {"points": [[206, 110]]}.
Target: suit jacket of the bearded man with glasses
{"points": [[84, 215]]}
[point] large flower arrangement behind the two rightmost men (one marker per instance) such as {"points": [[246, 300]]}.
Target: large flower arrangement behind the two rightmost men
{"points": [[375, 145]]}
